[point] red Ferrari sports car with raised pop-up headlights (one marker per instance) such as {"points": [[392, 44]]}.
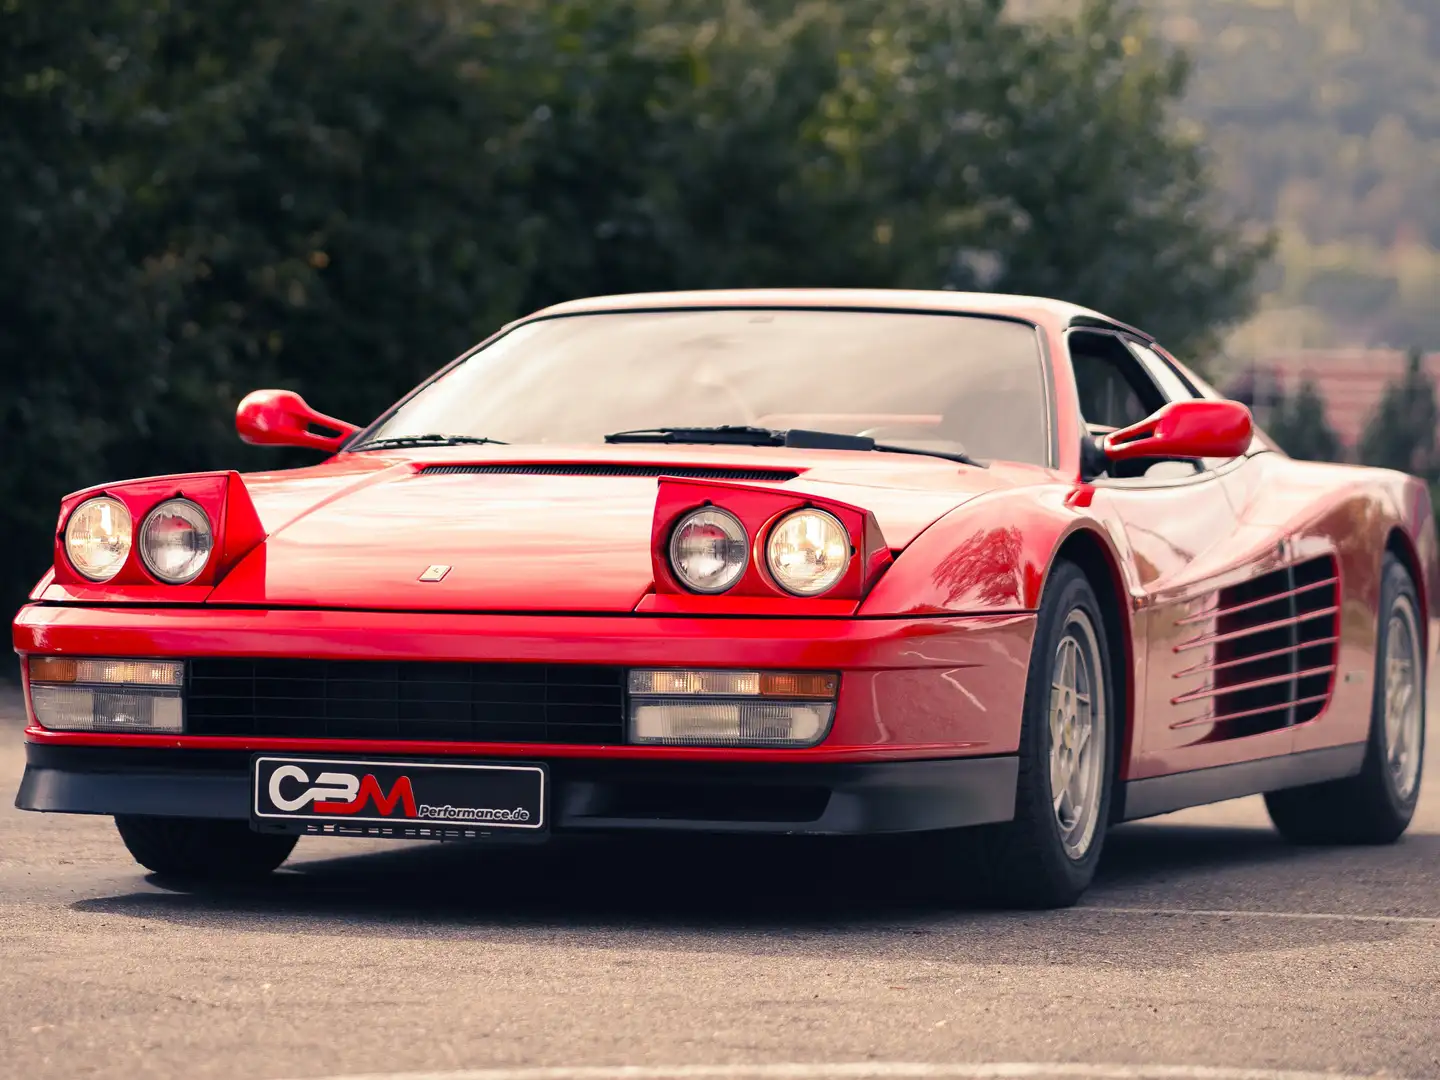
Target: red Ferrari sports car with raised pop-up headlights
{"points": [[984, 568]]}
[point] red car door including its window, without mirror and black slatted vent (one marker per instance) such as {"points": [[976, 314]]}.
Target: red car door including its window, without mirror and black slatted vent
{"points": [[1183, 536]]}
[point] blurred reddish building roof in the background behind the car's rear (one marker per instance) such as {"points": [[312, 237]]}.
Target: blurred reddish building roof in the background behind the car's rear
{"points": [[1351, 381]]}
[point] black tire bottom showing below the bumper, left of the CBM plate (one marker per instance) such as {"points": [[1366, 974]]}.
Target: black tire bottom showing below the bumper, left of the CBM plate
{"points": [[202, 850]]}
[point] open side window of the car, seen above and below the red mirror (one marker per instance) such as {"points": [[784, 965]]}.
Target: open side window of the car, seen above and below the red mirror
{"points": [[1115, 392]]}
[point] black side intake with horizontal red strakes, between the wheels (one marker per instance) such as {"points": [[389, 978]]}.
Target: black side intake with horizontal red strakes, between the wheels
{"points": [[1268, 652]]}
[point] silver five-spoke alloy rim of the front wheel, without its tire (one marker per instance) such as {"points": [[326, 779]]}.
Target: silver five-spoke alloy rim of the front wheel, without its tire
{"points": [[1078, 735]]}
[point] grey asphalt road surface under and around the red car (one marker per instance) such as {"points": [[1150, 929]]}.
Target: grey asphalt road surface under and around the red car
{"points": [[1206, 944]]}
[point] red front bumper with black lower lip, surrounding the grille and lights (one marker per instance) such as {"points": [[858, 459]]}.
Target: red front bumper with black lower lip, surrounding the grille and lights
{"points": [[925, 734]]}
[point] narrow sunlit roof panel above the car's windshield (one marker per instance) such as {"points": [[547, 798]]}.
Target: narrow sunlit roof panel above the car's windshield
{"points": [[1030, 309]]}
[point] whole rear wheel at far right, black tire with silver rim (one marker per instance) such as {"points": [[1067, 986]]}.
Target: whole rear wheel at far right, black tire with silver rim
{"points": [[1377, 806]]}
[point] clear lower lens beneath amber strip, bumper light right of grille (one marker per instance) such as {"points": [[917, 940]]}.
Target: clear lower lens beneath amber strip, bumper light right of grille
{"points": [[729, 724]]}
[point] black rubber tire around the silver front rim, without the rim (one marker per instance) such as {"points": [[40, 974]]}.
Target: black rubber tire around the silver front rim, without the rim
{"points": [[1026, 862]]}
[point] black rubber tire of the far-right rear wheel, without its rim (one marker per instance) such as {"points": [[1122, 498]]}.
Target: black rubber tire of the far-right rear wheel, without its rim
{"points": [[1369, 809]]}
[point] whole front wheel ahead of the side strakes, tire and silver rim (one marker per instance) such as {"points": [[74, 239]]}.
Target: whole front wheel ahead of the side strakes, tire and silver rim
{"points": [[1048, 855]]}
